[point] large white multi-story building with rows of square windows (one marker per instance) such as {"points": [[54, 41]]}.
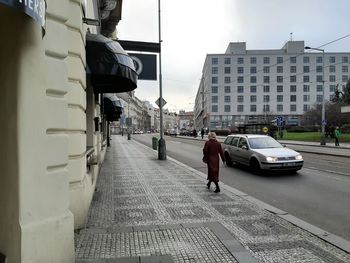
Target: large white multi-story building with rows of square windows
{"points": [[253, 86]]}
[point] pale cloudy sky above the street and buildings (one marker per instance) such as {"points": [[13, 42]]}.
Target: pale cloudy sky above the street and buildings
{"points": [[191, 29]]}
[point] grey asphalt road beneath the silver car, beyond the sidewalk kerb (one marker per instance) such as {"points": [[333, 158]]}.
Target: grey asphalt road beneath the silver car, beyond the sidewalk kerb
{"points": [[318, 194]]}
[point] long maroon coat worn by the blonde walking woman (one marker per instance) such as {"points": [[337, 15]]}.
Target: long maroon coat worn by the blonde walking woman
{"points": [[211, 151]]}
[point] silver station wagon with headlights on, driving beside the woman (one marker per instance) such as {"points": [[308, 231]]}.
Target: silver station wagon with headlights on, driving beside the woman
{"points": [[260, 152]]}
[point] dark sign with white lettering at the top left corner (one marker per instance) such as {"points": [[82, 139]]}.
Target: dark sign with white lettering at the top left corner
{"points": [[36, 9]]}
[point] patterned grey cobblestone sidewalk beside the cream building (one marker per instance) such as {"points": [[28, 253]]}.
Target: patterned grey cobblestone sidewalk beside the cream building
{"points": [[146, 210]]}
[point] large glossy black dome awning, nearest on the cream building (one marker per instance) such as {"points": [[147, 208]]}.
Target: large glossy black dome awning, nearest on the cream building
{"points": [[111, 69]]}
